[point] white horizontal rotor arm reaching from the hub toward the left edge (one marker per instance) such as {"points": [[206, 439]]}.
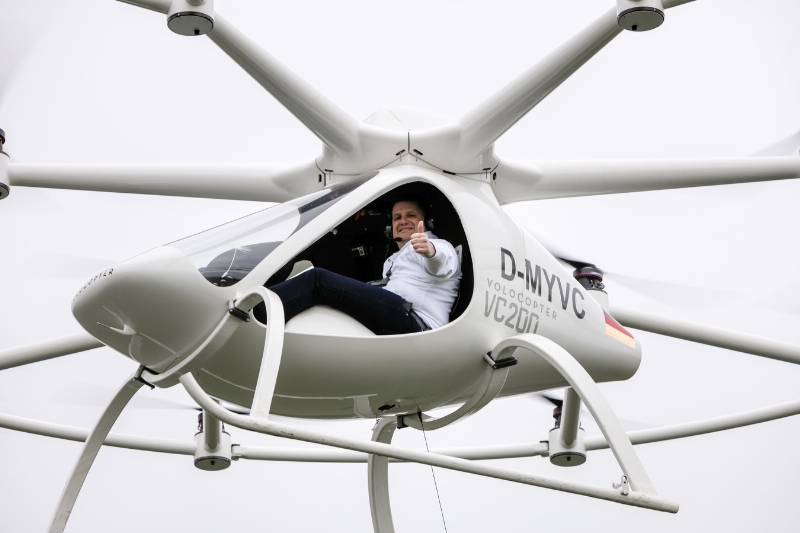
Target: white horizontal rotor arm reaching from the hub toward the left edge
{"points": [[266, 182]]}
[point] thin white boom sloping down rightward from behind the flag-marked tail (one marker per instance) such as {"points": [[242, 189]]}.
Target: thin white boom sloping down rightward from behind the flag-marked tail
{"points": [[711, 335]]}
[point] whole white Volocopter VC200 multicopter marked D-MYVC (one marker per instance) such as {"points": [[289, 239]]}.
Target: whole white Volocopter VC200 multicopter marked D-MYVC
{"points": [[158, 309]]}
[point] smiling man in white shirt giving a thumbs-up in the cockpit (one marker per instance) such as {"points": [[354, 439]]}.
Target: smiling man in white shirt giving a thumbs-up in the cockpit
{"points": [[417, 292]]}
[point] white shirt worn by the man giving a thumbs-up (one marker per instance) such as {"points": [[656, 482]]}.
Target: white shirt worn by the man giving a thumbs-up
{"points": [[430, 284]]}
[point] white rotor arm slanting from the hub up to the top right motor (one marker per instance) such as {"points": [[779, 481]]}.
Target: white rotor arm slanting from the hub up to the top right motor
{"points": [[455, 147]]}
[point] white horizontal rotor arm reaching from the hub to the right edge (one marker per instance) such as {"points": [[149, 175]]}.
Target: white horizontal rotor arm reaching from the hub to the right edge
{"points": [[518, 181]]}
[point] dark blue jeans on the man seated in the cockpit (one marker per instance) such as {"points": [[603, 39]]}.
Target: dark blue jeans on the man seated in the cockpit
{"points": [[381, 311]]}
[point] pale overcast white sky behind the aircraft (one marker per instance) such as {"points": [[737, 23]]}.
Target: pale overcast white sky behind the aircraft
{"points": [[107, 82]]}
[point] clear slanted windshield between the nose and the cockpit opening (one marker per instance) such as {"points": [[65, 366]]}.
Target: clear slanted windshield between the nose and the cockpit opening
{"points": [[226, 254]]}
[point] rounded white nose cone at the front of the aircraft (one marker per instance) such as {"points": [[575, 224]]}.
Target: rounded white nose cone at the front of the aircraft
{"points": [[153, 308]]}
